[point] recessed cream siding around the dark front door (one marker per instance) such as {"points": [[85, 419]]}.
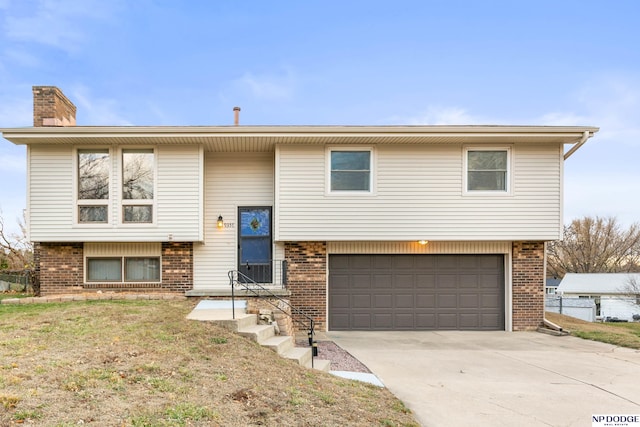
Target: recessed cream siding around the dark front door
{"points": [[231, 180]]}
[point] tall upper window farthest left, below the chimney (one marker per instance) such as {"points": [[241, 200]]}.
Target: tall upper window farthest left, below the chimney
{"points": [[93, 186]]}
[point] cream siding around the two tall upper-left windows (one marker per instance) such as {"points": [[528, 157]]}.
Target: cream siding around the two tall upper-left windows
{"points": [[177, 198]]}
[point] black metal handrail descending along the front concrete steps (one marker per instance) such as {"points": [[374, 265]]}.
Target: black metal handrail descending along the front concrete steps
{"points": [[237, 278]]}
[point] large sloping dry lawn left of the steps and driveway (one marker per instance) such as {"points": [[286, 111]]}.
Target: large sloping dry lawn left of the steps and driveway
{"points": [[141, 363]]}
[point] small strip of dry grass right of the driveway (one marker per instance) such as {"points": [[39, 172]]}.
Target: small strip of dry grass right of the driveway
{"points": [[622, 334]]}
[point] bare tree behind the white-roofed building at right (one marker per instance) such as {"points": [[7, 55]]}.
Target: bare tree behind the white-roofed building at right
{"points": [[595, 245]]}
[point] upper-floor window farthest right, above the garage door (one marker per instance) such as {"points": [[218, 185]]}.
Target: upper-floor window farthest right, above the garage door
{"points": [[487, 170]]}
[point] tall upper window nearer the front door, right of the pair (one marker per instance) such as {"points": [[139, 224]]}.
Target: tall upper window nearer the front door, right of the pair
{"points": [[137, 185]]}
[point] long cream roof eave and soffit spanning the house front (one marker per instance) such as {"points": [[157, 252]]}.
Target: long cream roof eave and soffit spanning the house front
{"points": [[265, 138]]}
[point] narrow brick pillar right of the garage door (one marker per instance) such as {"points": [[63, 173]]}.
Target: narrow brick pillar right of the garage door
{"points": [[528, 285]]}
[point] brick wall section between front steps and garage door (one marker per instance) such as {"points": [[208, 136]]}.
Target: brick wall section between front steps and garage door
{"points": [[307, 279]]}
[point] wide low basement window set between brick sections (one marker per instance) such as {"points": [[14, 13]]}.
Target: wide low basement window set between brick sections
{"points": [[133, 269]]}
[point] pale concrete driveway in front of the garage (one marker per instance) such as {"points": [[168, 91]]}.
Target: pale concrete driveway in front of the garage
{"points": [[500, 378]]}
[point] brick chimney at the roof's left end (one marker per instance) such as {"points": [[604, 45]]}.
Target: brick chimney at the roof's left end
{"points": [[52, 108]]}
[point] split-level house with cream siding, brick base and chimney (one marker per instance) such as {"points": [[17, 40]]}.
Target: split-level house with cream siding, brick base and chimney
{"points": [[367, 227]]}
